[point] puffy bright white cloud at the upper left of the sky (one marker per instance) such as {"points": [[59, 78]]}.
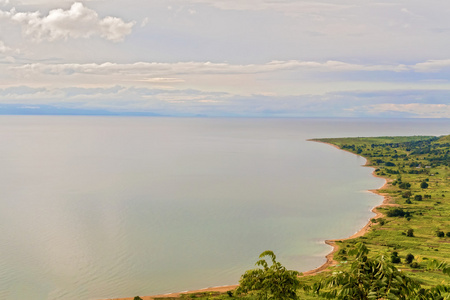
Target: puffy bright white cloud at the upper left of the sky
{"points": [[76, 22]]}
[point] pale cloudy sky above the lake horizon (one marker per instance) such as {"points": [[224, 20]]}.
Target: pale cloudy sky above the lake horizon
{"points": [[238, 58]]}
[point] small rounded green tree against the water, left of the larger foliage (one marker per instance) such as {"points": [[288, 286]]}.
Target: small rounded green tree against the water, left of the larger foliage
{"points": [[274, 282]]}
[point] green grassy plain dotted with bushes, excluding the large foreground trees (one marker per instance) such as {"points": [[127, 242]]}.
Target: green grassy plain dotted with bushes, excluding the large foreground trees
{"points": [[416, 222]]}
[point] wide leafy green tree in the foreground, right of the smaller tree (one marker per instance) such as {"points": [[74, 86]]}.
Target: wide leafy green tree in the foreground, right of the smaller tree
{"points": [[368, 278]]}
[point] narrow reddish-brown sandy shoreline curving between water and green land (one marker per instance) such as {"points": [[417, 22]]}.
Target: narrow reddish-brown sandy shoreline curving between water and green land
{"points": [[330, 262]]}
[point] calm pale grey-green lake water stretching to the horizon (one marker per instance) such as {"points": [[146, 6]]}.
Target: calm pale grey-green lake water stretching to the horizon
{"points": [[98, 207]]}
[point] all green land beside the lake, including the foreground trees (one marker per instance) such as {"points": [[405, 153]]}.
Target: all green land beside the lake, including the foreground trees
{"points": [[405, 254]]}
